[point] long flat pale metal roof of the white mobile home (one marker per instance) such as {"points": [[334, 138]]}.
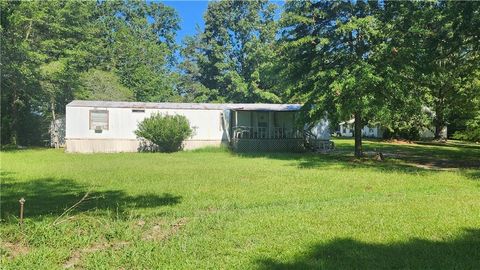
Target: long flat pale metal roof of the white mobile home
{"points": [[186, 106]]}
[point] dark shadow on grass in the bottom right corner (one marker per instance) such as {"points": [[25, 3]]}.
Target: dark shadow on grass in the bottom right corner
{"points": [[346, 253]]}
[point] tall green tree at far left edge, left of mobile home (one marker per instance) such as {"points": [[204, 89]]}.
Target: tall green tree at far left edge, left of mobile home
{"points": [[43, 46]]}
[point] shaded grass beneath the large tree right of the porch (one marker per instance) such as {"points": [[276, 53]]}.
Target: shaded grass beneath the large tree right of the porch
{"points": [[415, 158]]}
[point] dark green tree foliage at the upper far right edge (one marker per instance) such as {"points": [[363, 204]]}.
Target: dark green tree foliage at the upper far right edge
{"points": [[437, 54]]}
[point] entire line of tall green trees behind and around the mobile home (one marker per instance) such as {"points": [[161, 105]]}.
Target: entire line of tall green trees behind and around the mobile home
{"points": [[399, 64]]}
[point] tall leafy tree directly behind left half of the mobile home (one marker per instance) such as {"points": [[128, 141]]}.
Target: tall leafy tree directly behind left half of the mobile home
{"points": [[139, 46]]}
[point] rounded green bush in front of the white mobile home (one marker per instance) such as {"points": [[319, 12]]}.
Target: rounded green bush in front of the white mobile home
{"points": [[163, 133]]}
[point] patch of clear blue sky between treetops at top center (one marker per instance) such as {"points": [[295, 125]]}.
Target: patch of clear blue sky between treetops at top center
{"points": [[191, 15]]}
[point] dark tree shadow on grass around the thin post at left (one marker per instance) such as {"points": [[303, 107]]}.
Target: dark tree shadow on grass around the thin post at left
{"points": [[51, 197]]}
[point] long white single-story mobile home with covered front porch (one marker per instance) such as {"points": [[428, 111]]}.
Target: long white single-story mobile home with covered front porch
{"points": [[108, 126]]}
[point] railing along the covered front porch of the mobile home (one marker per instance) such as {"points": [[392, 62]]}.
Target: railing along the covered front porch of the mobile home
{"points": [[248, 132]]}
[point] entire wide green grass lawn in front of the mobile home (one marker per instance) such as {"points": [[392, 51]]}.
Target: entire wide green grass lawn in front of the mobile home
{"points": [[211, 209]]}
